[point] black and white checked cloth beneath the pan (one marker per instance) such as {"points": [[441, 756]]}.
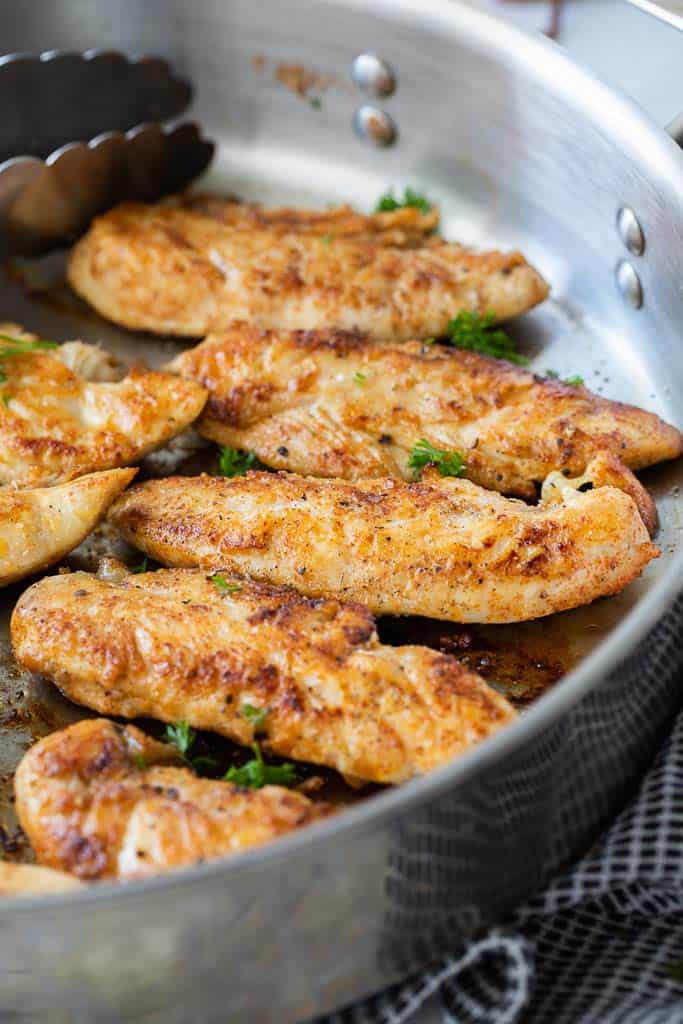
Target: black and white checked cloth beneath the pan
{"points": [[604, 945]]}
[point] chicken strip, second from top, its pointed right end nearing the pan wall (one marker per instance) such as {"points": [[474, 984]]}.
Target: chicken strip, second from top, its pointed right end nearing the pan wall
{"points": [[334, 404]]}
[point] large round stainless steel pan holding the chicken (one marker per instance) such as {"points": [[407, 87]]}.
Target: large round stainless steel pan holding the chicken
{"points": [[523, 149]]}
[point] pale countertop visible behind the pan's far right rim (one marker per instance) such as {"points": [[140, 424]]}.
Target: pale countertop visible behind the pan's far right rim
{"points": [[630, 51]]}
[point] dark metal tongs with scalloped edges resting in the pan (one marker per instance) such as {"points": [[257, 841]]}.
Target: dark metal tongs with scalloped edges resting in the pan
{"points": [[80, 133]]}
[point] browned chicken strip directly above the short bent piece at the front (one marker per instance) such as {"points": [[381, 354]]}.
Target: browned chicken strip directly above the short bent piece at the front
{"points": [[177, 646]]}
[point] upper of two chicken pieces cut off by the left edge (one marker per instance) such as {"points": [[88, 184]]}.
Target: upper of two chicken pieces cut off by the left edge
{"points": [[64, 413]]}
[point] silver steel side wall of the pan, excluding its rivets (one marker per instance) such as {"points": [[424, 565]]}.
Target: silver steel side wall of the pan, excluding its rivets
{"points": [[284, 938]]}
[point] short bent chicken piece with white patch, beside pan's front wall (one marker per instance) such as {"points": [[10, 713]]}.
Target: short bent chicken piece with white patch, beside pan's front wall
{"points": [[104, 801]]}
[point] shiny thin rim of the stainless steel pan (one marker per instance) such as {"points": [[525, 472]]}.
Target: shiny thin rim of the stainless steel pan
{"points": [[635, 130]]}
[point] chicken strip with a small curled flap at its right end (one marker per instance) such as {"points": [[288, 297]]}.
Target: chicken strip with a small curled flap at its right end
{"points": [[443, 548]]}
